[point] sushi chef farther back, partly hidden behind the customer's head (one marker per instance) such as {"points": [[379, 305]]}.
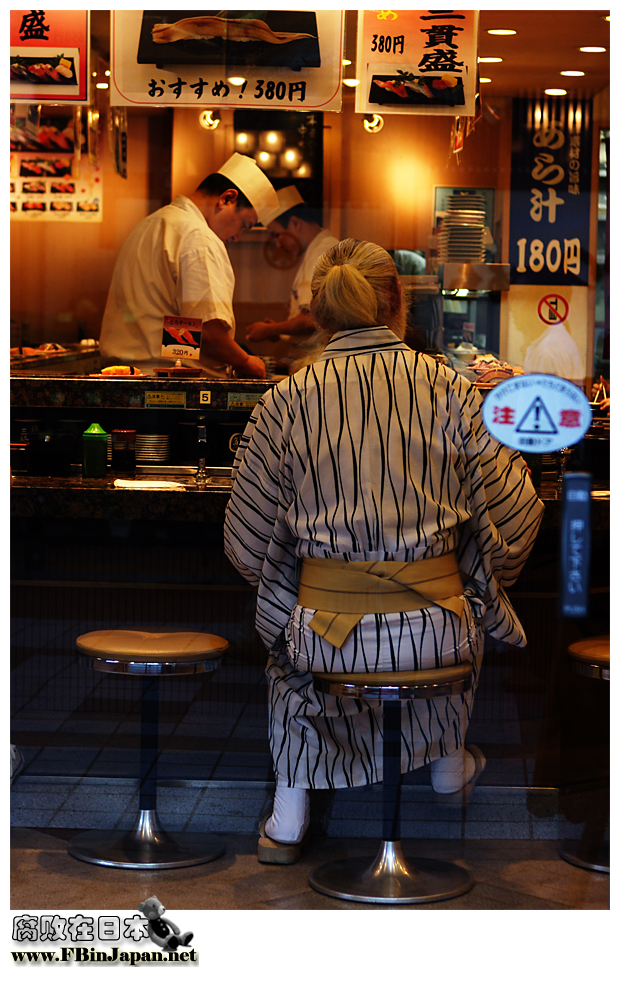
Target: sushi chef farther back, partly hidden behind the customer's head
{"points": [[295, 227]]}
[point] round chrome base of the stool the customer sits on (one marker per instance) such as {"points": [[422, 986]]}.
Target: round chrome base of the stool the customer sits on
{"points": [[390, 878]]}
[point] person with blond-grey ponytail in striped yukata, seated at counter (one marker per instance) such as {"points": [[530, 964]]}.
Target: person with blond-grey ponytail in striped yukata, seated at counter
{"points": [[372, 464]]}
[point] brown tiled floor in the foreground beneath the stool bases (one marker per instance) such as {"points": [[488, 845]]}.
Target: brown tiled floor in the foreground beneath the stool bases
{"points": [[509, 875]]}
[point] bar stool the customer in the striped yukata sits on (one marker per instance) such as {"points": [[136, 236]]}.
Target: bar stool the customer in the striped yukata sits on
{"points": [[390, 878]]}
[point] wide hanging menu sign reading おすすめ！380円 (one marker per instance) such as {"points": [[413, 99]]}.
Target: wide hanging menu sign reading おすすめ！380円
{"points": [[285, 60]]}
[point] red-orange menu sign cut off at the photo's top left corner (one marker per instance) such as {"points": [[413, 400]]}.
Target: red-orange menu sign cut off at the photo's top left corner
{"points": [[50, 56]]}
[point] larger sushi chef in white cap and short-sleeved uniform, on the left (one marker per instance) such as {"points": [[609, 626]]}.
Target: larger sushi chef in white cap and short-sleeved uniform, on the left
{"points": [[175, 263]]}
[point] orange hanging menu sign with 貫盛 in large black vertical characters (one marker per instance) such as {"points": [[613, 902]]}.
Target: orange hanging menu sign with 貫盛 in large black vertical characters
{"points": [[417, 61]]}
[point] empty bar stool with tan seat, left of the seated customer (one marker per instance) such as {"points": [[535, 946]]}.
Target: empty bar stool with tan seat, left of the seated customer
{"points": [[150, 656]]}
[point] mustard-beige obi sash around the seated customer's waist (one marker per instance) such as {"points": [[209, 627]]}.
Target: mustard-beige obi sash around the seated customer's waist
{"points": [[344, 591]]}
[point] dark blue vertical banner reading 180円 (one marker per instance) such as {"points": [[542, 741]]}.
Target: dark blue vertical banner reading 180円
{"points": [[550, 188]]}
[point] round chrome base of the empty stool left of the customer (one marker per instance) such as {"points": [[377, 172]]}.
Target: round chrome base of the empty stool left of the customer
{"points": [[146, 847]]}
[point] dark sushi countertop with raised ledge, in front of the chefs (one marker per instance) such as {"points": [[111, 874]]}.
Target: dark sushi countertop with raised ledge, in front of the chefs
{"points": [[167, 409]]}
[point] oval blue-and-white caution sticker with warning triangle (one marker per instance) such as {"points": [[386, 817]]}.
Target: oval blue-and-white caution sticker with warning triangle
{"points": [[537, 413]]}
